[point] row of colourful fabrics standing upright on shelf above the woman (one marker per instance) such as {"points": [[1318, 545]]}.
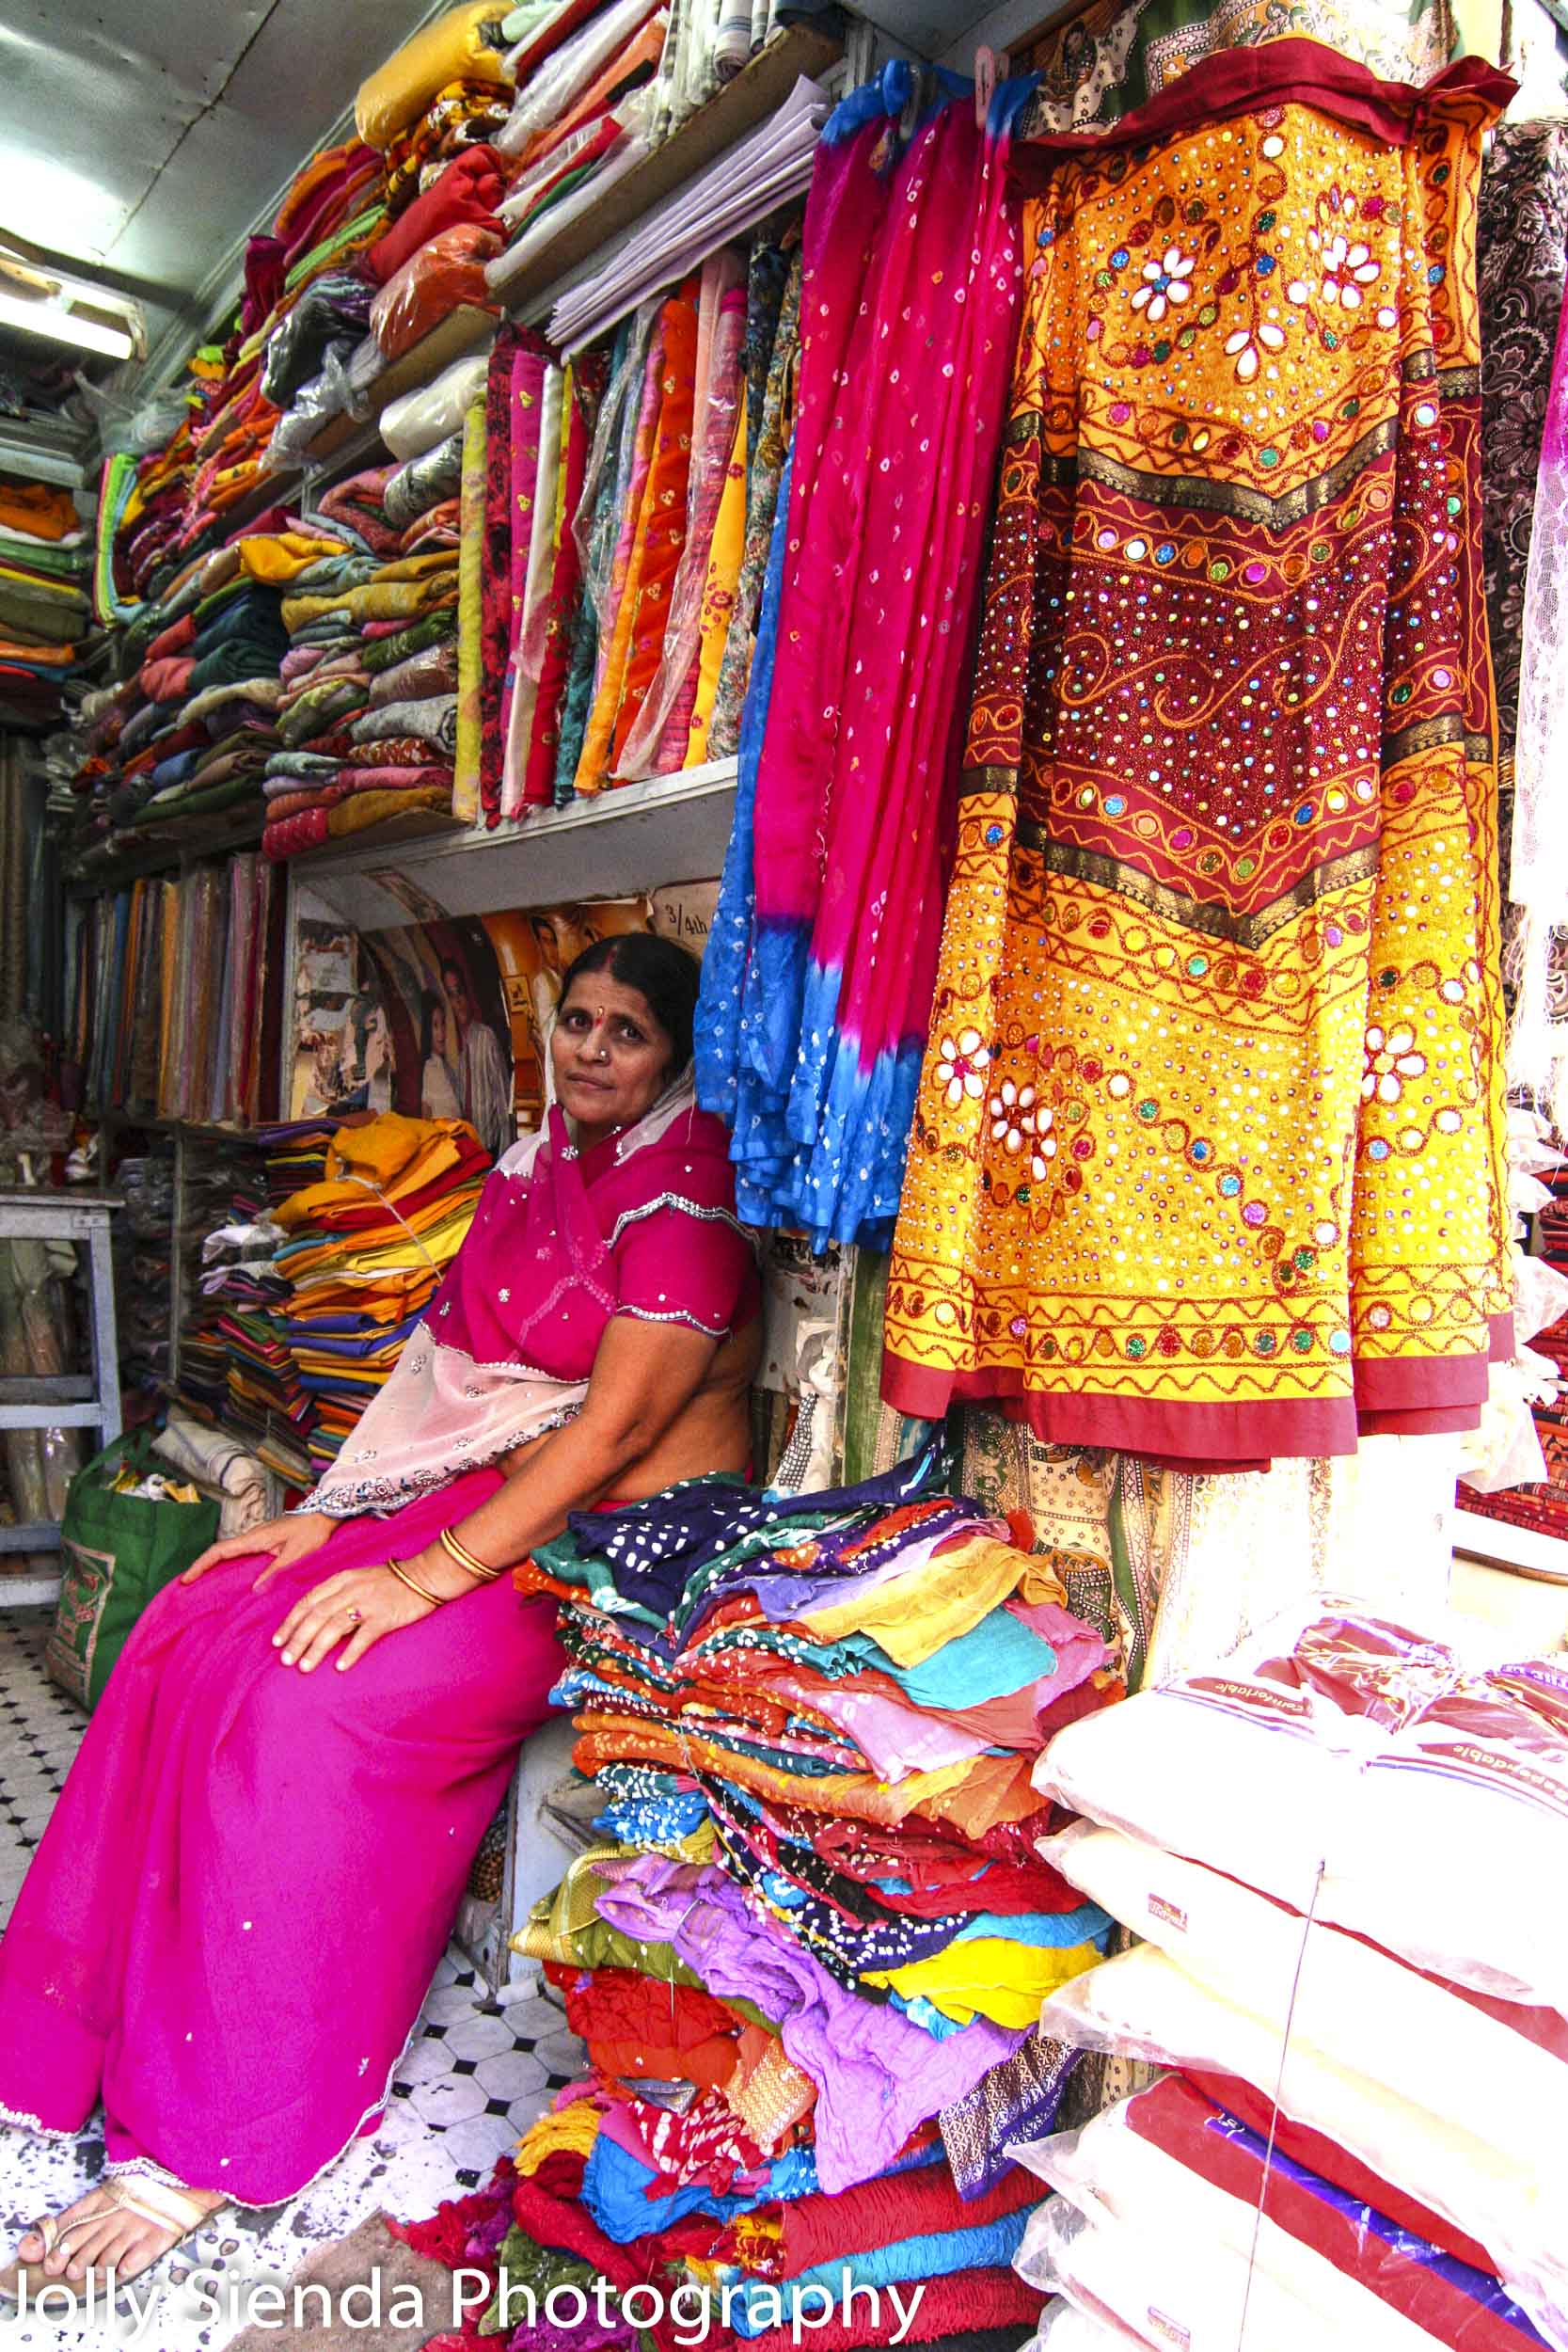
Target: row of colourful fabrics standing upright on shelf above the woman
{"points": [[629, 509]]}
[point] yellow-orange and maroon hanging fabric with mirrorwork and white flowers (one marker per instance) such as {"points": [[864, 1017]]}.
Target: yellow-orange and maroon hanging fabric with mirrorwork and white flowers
{"points": [[1207, 1156]]}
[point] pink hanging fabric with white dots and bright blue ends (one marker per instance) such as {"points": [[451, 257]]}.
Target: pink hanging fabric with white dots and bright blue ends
{"points": [[909, 305]]}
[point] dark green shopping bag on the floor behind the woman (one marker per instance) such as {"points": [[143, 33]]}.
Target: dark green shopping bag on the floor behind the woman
{"points": [[119, 1551]]}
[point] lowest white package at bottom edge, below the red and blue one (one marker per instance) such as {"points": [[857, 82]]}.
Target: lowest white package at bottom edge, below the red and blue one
{"points": [[1141, 2240]]}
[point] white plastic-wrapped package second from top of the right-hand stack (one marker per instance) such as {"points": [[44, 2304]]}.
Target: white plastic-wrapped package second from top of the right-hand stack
{"points": [[1459, 2057]]}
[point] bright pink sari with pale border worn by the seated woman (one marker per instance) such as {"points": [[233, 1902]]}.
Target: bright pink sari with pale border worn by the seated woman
{"points": [[250, 1876]]}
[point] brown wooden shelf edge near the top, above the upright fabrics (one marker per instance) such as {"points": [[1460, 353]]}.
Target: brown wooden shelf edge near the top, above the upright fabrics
{"points": [[730, 114]]}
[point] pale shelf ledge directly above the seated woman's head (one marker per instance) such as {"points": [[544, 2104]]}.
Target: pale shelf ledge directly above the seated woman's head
{"points": [[634, 838]]}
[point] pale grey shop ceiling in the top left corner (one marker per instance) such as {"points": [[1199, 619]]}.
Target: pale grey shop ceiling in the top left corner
{"points": [[140, 140]]}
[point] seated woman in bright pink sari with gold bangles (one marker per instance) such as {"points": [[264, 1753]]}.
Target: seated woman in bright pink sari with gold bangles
{"points": [[253, 1871]]}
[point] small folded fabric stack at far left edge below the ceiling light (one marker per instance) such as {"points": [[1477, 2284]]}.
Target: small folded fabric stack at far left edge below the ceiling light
{"points": [[46, 603]]}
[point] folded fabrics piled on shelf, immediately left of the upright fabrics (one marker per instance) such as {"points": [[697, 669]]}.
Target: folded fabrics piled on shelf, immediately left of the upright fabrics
{"points": [[368, 714]]}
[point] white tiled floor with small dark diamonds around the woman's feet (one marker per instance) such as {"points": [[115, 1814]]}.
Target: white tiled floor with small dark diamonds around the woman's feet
{"points": [[474, 2080]]}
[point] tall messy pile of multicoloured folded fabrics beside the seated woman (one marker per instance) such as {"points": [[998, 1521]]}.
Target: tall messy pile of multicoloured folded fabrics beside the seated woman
{"points": [[810, 1953]]}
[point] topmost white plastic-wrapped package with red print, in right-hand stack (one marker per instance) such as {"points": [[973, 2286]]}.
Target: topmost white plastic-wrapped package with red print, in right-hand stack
{"points": [[1353, 1768]]}
